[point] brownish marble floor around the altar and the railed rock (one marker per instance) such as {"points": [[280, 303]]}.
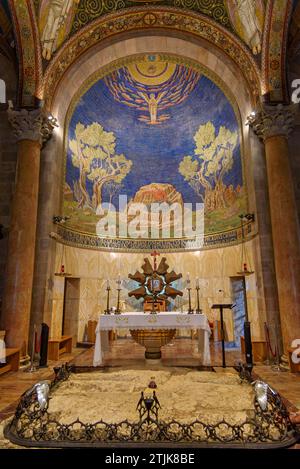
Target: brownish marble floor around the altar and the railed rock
{"points": [[125, 352]]}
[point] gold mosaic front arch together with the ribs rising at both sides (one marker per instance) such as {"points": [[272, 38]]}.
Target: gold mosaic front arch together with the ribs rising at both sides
{"points": [[269, 79]]}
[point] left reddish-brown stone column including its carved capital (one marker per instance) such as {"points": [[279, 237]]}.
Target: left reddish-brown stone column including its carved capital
{"points": [[31, 129]]}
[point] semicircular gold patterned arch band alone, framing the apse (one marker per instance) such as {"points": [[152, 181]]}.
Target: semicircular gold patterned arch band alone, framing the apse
{"points": [[146, 19]]}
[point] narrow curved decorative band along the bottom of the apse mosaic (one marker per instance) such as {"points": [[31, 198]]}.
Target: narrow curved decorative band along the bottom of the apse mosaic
{"points": [[216, 240]]}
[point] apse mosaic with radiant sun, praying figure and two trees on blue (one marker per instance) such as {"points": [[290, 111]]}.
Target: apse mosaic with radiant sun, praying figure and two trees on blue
{"points": [[154, 130]]}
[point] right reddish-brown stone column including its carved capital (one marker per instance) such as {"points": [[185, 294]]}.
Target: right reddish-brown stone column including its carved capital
{"points": [[273, 125]]}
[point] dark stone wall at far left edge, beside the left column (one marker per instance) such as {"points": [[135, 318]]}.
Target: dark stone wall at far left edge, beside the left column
{"points": [[8, 157]]}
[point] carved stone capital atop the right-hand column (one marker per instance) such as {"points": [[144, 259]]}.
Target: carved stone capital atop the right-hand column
{"points": [[272, 121]]}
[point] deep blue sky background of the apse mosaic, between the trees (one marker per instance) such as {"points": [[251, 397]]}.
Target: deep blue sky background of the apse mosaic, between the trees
{"points": [[156, 151]]}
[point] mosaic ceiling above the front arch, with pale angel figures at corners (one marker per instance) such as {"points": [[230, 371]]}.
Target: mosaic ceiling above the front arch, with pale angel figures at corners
{"points": [[58, 20]]}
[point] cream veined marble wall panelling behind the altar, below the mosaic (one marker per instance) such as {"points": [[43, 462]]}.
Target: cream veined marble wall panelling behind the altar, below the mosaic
{"points": [[213, 267]]}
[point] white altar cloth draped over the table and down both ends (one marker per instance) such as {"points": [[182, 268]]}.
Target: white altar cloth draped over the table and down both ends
{"points": [[163, 320]]}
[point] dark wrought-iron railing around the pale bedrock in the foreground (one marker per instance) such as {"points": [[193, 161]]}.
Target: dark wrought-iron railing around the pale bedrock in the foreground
{"points": [[33, 426]]}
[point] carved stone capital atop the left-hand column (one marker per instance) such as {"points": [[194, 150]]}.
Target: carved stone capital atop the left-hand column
{"points": [[36, 124]]}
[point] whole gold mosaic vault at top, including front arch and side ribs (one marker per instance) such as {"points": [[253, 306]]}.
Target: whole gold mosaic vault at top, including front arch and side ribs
{"points": [[251, 32]]}
